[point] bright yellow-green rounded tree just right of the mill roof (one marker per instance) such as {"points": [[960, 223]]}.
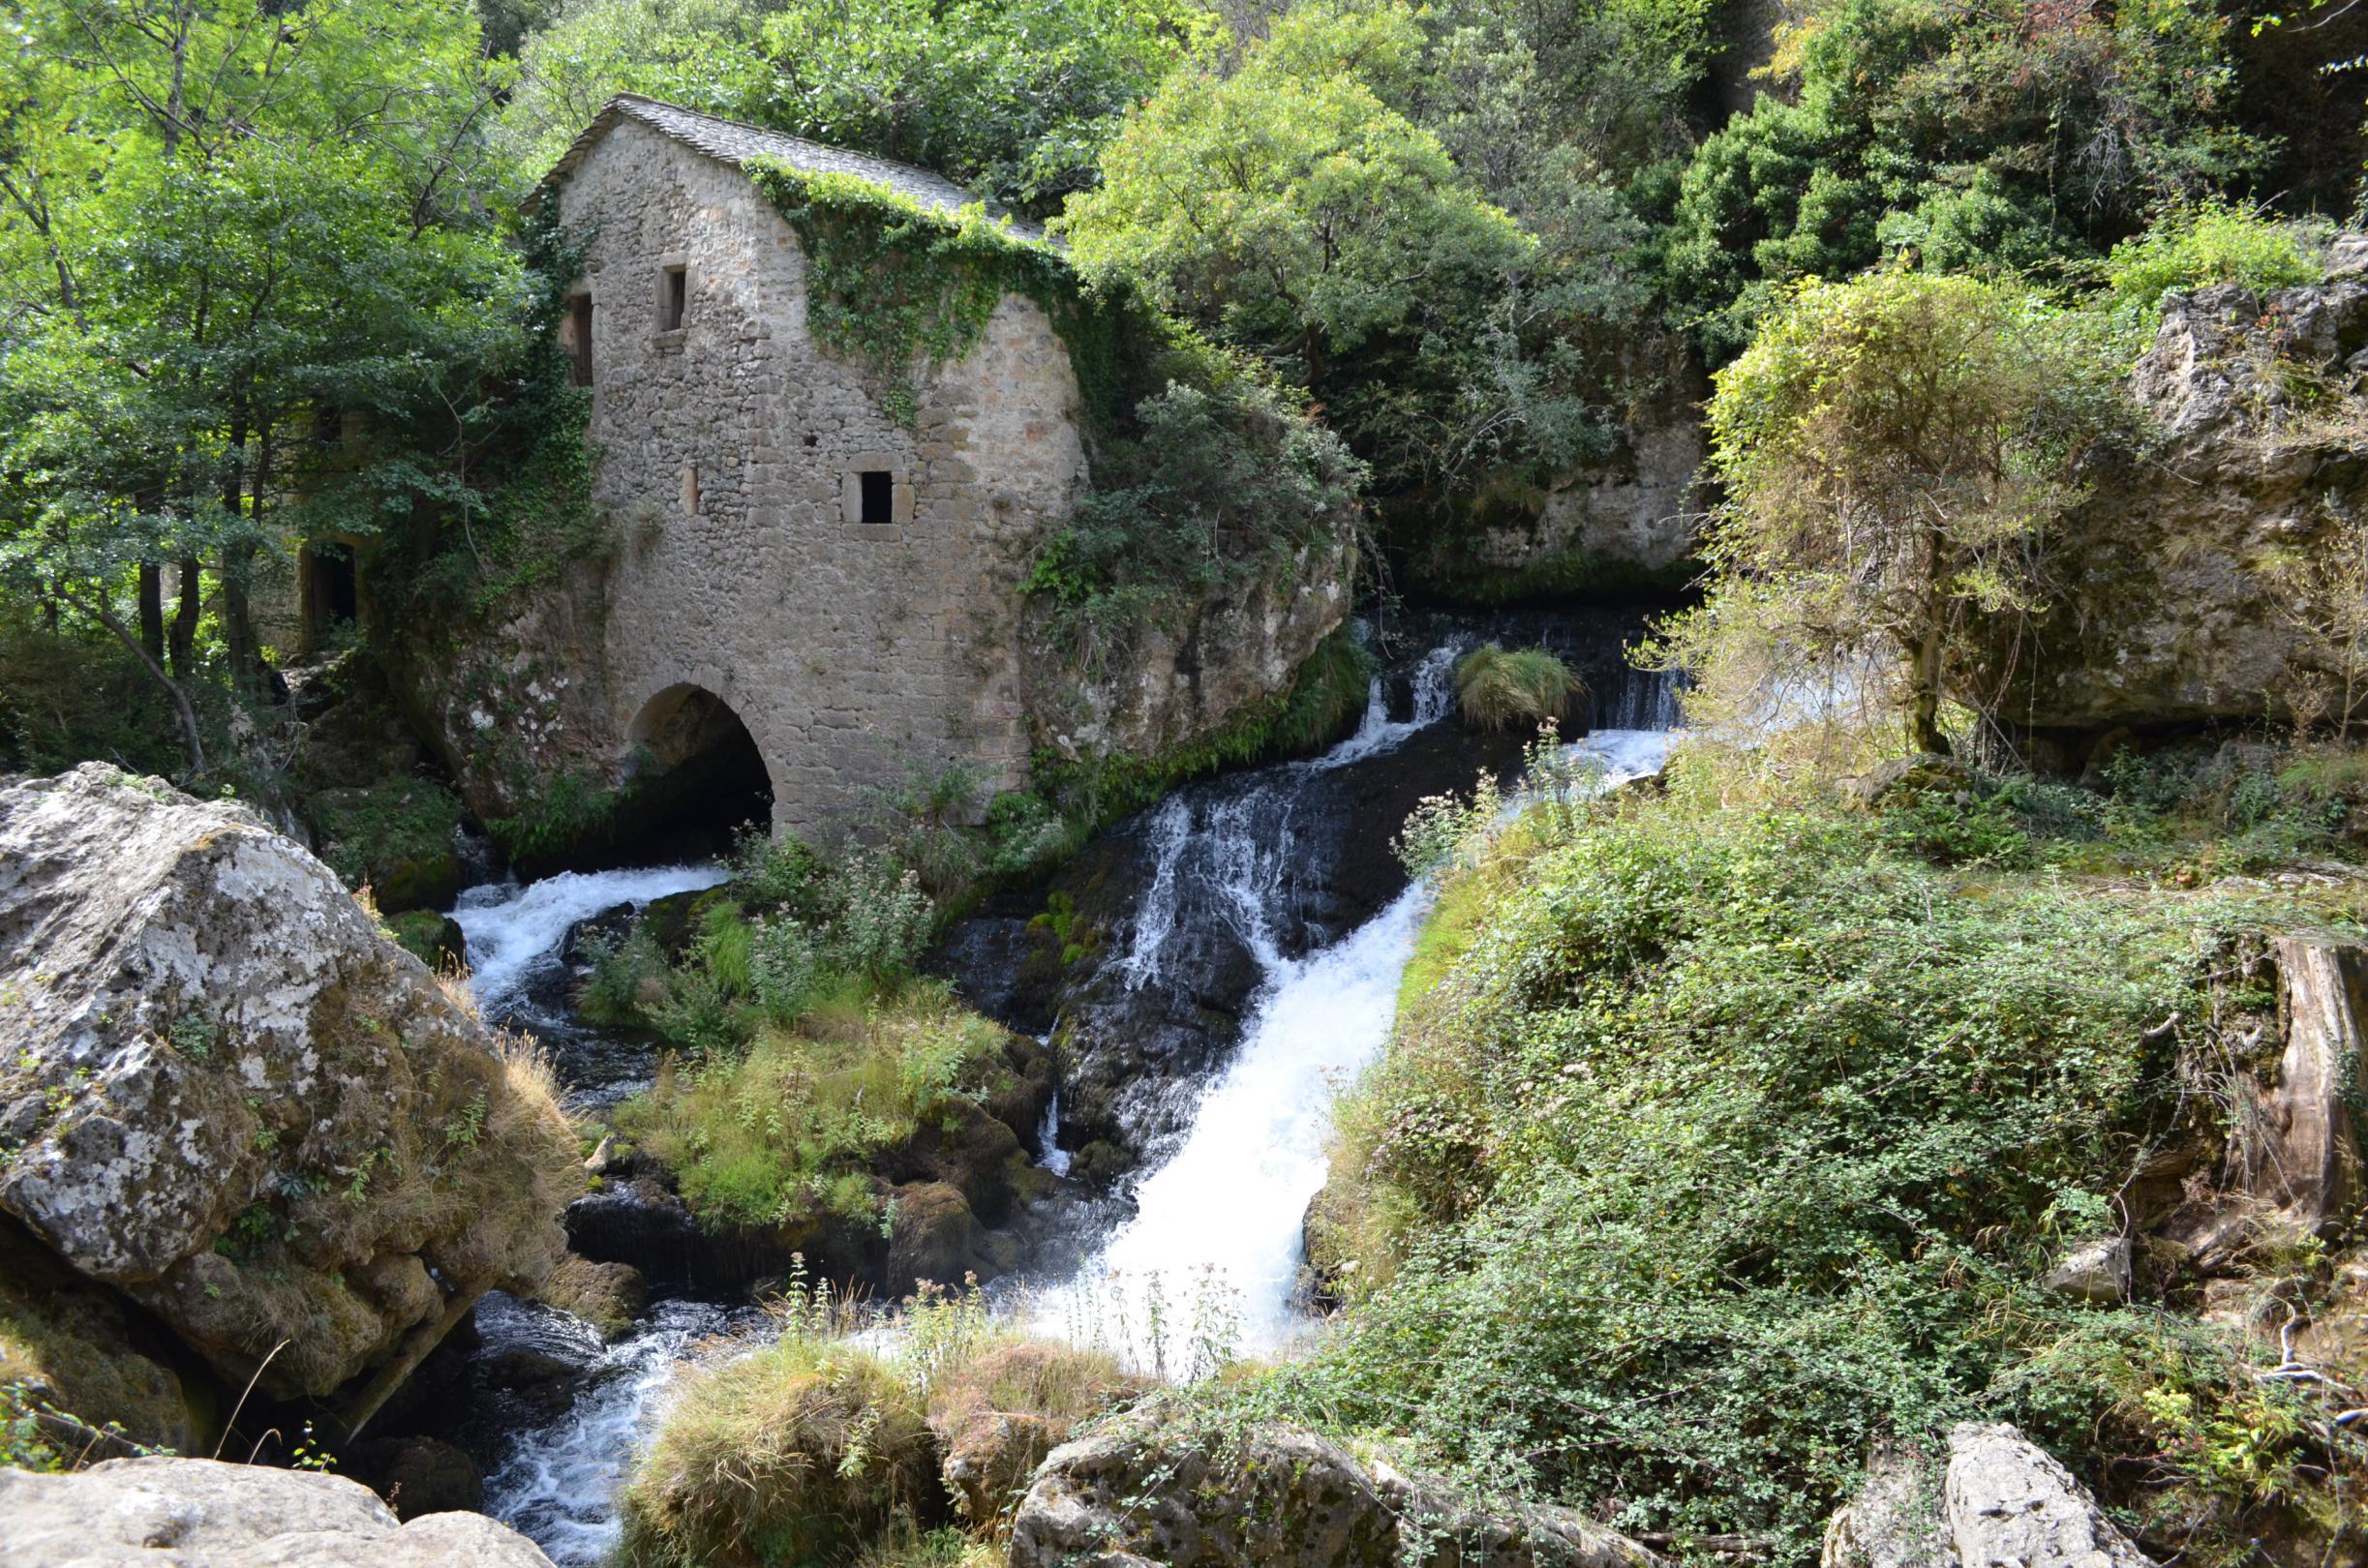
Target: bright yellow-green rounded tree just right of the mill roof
{"points": [[1282, 205]]}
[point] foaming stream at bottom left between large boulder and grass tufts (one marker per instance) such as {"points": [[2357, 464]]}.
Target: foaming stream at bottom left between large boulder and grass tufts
{"points": [[558, 1484]]}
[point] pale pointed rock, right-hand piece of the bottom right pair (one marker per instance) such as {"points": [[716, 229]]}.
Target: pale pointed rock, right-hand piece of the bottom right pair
{"points": [[2014, 1508]]}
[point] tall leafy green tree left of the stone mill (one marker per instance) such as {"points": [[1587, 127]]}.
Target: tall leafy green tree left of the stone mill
{"points": [[229, 226]]}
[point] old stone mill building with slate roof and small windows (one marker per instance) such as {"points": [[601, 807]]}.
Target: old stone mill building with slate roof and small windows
{"points": [[792, 555]]}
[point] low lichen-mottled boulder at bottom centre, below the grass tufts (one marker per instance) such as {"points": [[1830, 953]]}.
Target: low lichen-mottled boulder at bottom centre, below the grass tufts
{"points": [[1282, 1498]]}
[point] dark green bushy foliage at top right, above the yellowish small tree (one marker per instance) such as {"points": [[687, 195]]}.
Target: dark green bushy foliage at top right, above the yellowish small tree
{"points": [[1969, 139]]}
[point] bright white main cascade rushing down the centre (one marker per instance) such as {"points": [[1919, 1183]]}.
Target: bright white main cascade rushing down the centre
{"points": [[1209, 1261]]}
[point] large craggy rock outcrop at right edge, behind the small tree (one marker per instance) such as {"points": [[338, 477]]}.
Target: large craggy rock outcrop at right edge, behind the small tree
{"points": [[2177, 558]]}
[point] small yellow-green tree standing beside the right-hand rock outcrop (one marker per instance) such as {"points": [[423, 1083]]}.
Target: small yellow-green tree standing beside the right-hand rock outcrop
{"points": [[1891, 465]]}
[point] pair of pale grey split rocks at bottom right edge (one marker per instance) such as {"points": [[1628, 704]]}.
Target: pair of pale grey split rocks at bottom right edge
{"points": [[2002, 1503]]}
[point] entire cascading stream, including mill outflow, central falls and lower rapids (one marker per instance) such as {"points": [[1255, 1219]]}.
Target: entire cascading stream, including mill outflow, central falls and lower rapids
{"points": [[1214, 1245]]}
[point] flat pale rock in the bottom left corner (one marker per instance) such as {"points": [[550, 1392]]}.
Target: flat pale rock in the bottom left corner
{"points": [[205, 1515]]}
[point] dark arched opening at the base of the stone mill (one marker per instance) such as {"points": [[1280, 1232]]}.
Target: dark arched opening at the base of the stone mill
{"points": [[697, 776]]}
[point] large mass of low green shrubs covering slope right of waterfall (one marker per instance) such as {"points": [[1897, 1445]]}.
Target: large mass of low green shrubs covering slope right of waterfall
{"points": [[1725, 1143]]}
